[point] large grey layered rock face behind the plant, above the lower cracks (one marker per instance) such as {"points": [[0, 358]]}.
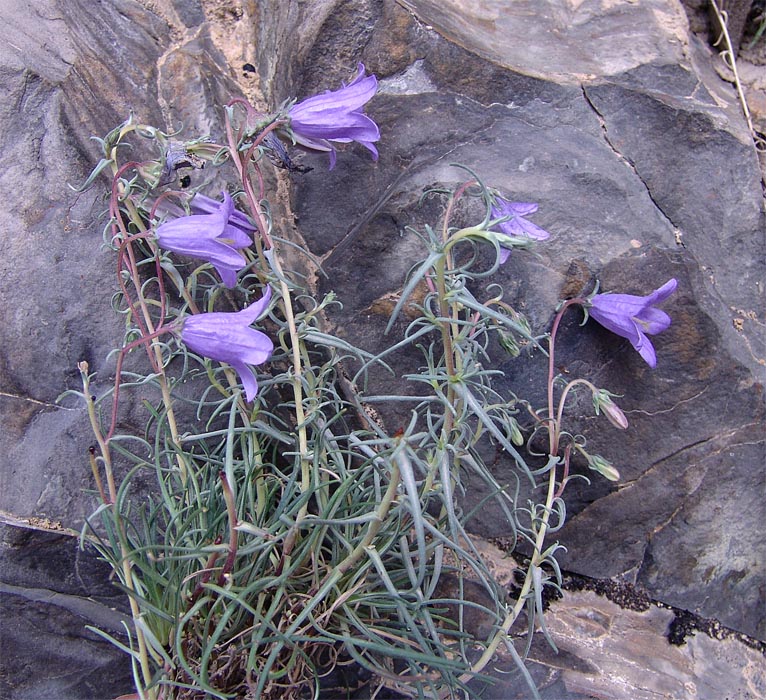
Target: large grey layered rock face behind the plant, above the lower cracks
{"points": [[606, 114]]}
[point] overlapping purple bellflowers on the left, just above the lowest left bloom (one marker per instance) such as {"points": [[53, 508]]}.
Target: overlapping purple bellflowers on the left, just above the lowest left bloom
{"points": [[215, 235]]}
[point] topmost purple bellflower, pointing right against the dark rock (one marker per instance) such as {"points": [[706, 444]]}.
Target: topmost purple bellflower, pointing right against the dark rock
{"points": [[337, 116]]}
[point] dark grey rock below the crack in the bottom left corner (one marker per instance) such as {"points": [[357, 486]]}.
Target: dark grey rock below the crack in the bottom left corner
{"points": [[49, 591]]}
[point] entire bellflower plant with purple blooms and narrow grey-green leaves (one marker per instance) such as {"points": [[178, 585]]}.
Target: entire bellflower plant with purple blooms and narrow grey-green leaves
{"points": [[291, 531]]}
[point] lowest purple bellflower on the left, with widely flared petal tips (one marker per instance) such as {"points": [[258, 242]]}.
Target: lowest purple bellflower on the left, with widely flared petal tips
{"points": [[227, 337]]}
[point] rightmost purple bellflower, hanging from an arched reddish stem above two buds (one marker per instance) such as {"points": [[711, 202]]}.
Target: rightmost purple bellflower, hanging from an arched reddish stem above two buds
{"points": [[632, 317]]}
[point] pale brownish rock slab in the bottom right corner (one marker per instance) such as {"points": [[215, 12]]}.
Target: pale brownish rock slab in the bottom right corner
{"points": [[606, 651]]}
